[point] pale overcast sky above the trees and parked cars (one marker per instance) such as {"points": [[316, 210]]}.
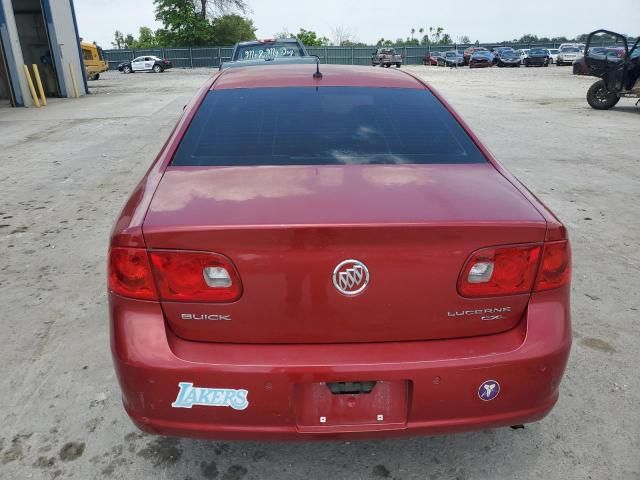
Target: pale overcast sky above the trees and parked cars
{"points": [[368, 21]]}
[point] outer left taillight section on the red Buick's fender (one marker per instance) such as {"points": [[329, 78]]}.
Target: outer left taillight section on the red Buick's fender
{"points": [[130, 273]]}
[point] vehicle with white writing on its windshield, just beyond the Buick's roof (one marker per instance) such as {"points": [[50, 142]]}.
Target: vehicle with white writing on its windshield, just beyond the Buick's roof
{"points": [[272, 51]]}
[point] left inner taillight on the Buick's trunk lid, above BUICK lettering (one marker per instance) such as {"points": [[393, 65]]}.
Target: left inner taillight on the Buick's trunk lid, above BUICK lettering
{"points": [[195, 277]]}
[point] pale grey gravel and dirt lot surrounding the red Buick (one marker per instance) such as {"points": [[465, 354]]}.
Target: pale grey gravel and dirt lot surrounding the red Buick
{"points": [[66, 171]]}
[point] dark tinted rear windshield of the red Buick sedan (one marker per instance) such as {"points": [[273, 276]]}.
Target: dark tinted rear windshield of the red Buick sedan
{"points": [[324, 126]]}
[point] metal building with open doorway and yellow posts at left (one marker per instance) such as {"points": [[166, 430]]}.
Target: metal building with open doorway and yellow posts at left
{"points": [[44, 33]]}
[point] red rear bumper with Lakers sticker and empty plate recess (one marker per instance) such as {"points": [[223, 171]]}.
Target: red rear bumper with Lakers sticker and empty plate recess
{"points": [[442, 377]]}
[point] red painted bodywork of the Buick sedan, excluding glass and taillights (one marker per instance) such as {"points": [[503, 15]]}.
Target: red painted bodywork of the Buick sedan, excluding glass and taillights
{"points": [[279, 219]]}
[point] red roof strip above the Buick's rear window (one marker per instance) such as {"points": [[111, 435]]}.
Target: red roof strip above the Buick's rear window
{"points": [[302, 76]]}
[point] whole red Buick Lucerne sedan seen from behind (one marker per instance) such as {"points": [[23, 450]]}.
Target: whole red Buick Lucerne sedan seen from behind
{"points": [[333, 256]]}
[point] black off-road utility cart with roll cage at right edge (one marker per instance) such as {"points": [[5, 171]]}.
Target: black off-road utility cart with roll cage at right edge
{"points": [[618, 69]]}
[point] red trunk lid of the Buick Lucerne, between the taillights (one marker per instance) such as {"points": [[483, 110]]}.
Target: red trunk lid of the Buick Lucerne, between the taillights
{"points": [[287, 228]]}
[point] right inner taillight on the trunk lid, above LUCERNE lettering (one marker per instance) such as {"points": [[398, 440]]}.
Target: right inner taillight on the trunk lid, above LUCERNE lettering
{"points": [[498, 271]]}
